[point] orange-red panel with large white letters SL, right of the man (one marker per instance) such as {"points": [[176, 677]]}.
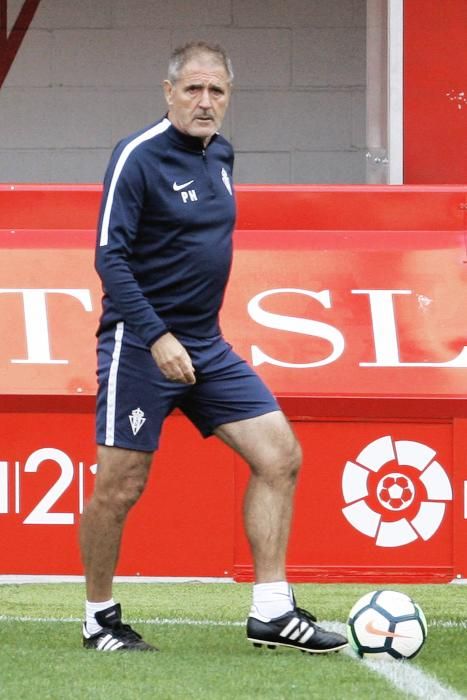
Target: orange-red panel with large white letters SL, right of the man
{"points": [[366, 315]]}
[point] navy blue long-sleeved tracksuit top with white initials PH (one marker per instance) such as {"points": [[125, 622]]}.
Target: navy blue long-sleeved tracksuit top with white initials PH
{"points": [[164, 245]]}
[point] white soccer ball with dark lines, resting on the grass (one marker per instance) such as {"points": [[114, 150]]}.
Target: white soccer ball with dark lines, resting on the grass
{"points": [[386, 625]]}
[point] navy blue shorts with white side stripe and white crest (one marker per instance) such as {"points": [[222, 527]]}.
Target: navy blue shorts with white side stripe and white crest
{"points": [[134, 398]]}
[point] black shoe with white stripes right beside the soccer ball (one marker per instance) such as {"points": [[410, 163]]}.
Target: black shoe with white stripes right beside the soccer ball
{"points": [[295, 629]]}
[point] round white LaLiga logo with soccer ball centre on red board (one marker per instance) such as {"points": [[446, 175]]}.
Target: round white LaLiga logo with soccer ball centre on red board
{"points": [[396, 492]]}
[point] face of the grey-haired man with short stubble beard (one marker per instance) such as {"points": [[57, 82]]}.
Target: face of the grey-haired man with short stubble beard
{"points": [[199, 98]]}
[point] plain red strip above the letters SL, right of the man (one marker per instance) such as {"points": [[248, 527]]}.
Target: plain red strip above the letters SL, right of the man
{"points": [[350, 208]]}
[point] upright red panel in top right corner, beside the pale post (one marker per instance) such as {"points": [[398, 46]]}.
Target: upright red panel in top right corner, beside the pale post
{"points": [[435, 91]]}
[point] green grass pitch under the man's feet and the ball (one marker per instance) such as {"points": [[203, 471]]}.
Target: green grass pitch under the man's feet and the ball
{"points": [[204, 653]]}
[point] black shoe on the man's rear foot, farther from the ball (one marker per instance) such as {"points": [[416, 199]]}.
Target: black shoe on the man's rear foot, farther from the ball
{"points": [[114, 636]]}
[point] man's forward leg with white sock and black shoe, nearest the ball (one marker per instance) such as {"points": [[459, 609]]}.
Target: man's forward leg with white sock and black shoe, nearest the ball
{"points": [[269, 446]]}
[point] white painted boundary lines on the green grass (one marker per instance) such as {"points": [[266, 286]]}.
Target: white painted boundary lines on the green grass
{"points": [[406, 677]]}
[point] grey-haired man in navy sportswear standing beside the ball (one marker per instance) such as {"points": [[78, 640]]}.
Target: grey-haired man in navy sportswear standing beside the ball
{"points": [[164, 254]]}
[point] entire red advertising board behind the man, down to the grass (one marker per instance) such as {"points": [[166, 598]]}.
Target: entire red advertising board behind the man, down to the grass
{"points": [[349, 301]]}
